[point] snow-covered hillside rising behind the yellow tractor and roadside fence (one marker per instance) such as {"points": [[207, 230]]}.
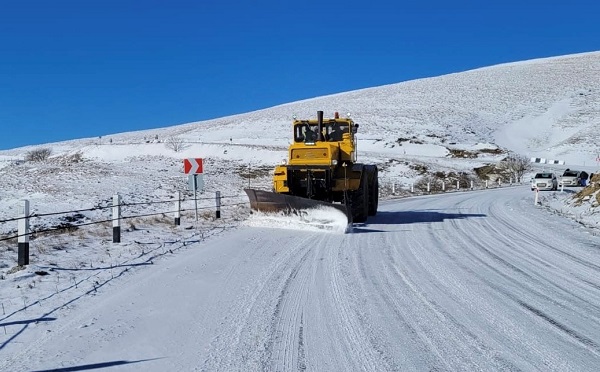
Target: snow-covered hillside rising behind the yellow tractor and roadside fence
{"points": [[548, 108]]}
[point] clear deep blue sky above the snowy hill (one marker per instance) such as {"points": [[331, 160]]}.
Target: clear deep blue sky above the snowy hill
{"points": [[74, 69]]}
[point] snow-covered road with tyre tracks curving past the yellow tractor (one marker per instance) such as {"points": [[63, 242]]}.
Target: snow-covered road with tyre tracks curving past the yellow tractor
{"points": [[459, 282]]}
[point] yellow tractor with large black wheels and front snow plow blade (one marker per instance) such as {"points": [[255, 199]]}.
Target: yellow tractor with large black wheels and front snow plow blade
{"points": [[322, 169]]}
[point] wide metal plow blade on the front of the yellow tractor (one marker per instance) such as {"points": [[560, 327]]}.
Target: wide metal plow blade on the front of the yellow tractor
{"points": [[269, 202]]}
